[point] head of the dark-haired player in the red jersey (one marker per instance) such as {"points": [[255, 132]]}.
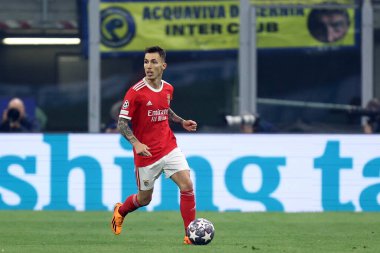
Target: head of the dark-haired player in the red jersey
{"points": [[154, 66]]}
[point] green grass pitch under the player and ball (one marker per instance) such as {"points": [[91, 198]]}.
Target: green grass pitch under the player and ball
{"points": [[75, 232]]}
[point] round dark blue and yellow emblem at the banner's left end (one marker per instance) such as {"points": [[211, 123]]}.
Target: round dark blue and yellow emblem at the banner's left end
{"points": [[117, 27]]}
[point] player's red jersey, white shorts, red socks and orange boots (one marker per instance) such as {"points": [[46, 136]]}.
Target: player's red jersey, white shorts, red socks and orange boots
{"points": [[148, 108]]}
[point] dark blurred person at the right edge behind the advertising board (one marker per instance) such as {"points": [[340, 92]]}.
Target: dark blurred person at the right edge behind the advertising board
{"points": [[372, 113]]}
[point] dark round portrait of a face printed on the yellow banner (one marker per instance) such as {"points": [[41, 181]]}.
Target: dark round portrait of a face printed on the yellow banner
{"points": [[328, 25]]}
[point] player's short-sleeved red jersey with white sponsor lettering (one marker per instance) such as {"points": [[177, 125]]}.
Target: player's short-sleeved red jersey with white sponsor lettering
{"points": [[148, 108]]}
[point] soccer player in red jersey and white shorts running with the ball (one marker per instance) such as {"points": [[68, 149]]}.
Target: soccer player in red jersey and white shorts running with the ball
{"points": [[146, 107]]}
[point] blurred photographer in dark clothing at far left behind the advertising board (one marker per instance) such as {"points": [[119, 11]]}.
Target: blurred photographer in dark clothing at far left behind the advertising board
{"points": [[15, 119]]}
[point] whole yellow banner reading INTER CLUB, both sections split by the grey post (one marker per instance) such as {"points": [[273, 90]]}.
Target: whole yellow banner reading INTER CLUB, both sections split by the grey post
{"points": [[214, 25]]}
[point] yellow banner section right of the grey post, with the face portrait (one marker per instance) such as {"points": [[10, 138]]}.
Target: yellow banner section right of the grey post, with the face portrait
{"points": [[296, 27]]}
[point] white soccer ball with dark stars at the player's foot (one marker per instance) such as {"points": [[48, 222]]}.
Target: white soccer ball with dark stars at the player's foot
{"points": [[200, 231]]}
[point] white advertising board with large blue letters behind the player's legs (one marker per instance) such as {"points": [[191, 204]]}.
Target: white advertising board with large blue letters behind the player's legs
{"points": [[235, 172]]}
